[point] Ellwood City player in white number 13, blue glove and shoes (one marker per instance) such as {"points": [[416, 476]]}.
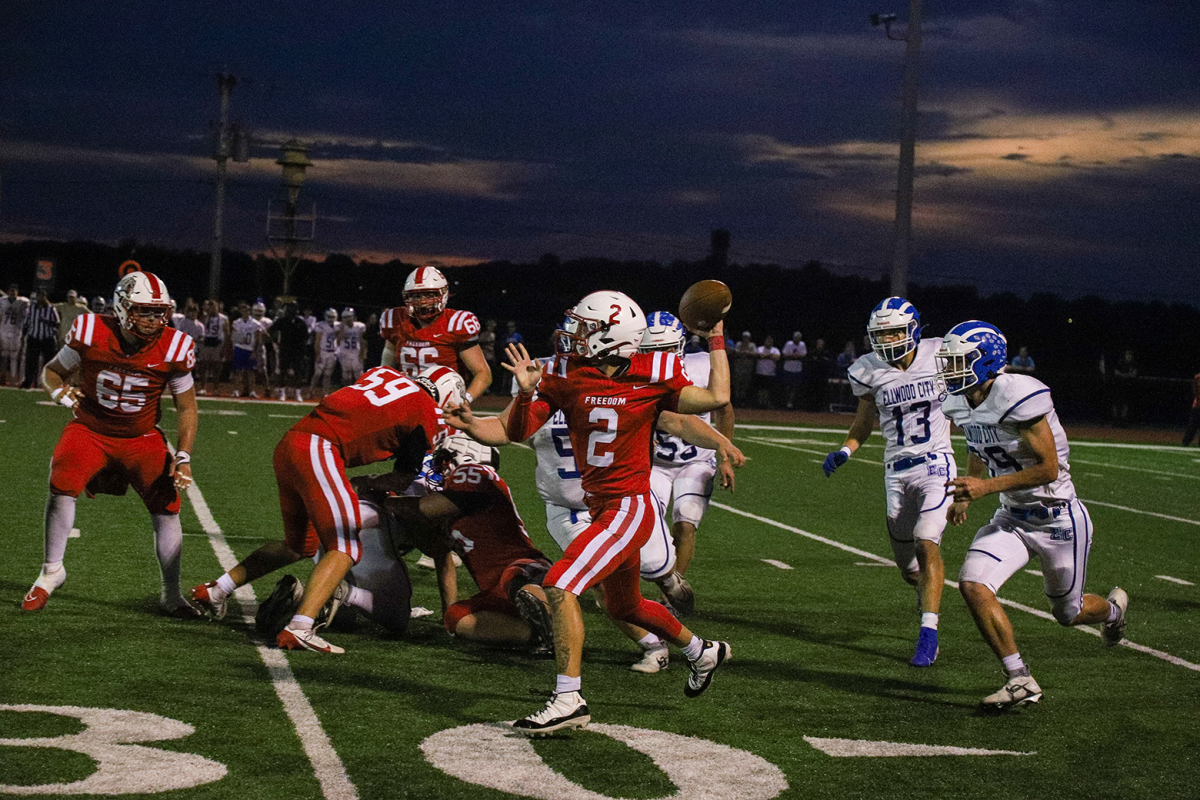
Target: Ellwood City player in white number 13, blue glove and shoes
{"points": [[898, 384]]}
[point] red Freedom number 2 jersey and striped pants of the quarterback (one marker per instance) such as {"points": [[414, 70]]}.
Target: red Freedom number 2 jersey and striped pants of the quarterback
{"points": [[611, 422]]}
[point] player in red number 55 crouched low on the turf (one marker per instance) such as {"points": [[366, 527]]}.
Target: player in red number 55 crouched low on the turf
{"points": [[473, 515]]}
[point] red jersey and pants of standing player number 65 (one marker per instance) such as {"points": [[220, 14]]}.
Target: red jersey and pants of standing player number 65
{"points": [[116, 420]]}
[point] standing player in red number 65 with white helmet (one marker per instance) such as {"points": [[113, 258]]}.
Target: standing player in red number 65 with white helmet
{"points": [[113, 372]]}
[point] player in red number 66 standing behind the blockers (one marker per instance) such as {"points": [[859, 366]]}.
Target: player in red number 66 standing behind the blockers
{"points": [[424, 333]]}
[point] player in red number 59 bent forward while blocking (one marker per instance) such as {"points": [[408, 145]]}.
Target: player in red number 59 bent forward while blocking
{"points": [[385, 416]]}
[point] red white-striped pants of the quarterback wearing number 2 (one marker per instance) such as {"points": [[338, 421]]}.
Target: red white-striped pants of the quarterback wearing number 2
{"points": [[609, 554]]}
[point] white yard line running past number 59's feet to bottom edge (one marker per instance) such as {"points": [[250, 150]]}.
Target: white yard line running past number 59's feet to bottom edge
{"points": [[328, 768]]}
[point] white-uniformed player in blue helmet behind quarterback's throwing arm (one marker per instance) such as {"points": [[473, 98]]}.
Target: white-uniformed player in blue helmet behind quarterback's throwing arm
{"points": [[682, 474]]}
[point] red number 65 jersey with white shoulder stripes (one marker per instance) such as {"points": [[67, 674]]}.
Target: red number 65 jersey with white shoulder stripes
{"points": [[122, 390]]}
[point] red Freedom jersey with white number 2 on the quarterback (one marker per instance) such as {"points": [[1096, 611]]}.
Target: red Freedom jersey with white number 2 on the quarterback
{"points": [[611, 420]]}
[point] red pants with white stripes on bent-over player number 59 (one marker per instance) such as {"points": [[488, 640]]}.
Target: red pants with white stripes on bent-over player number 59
{"points": [[319, 504]]}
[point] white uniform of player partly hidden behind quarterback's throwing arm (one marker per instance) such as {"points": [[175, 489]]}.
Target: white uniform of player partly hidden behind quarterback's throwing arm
{"points": [[682, 474]]}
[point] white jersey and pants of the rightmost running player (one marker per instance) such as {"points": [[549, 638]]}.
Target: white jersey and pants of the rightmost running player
{"points": [[1046, 521]]}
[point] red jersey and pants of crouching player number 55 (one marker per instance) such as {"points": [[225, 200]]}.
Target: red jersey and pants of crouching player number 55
{"points": [[491, 539]]}
